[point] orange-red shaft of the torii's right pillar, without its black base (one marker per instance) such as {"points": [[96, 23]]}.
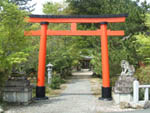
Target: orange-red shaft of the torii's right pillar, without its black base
{"points": [[104, 53]]}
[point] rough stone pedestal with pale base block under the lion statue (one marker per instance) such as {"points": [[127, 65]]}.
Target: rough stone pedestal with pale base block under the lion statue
{"points": [[123, 89]]}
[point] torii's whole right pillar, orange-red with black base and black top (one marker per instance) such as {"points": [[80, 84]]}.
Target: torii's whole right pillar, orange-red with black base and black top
{"points": [[106, 89]]}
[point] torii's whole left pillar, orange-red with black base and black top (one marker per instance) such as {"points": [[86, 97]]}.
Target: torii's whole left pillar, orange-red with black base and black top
{"points": [[40, 89]]}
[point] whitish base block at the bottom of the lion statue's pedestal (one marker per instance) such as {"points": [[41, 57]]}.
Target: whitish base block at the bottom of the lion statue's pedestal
{"points": [[117, 98]]}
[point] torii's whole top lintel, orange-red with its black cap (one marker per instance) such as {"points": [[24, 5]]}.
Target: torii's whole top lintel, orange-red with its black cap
{"points": [[77, 18]]}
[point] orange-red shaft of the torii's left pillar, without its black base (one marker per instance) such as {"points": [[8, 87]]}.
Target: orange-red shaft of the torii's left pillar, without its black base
{"points": [[42, 56]]}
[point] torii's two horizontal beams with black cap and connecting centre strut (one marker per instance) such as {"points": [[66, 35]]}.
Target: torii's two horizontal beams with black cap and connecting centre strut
{"points": [[74, 19]]}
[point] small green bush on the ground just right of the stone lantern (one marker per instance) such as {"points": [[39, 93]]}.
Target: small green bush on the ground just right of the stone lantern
{"points": [[56, 81]]}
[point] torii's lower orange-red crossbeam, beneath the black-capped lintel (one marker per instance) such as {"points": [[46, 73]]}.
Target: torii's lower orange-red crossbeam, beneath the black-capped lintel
{"points": [[75, 33]]}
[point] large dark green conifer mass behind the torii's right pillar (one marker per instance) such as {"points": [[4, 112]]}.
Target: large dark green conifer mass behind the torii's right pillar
{"points": [[119, 48]]}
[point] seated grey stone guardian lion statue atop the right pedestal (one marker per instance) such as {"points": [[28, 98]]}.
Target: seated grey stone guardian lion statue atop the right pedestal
{"points": [[127, 70]]}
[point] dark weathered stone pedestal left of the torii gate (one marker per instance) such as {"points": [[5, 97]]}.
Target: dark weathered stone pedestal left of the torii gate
{"points": [[18, 90]]}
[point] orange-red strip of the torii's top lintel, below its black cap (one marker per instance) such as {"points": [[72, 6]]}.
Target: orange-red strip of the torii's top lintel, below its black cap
{"points": [[77, 20]]}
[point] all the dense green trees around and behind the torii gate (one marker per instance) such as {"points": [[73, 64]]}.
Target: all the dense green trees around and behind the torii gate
{"points": [[20, 53]]}
